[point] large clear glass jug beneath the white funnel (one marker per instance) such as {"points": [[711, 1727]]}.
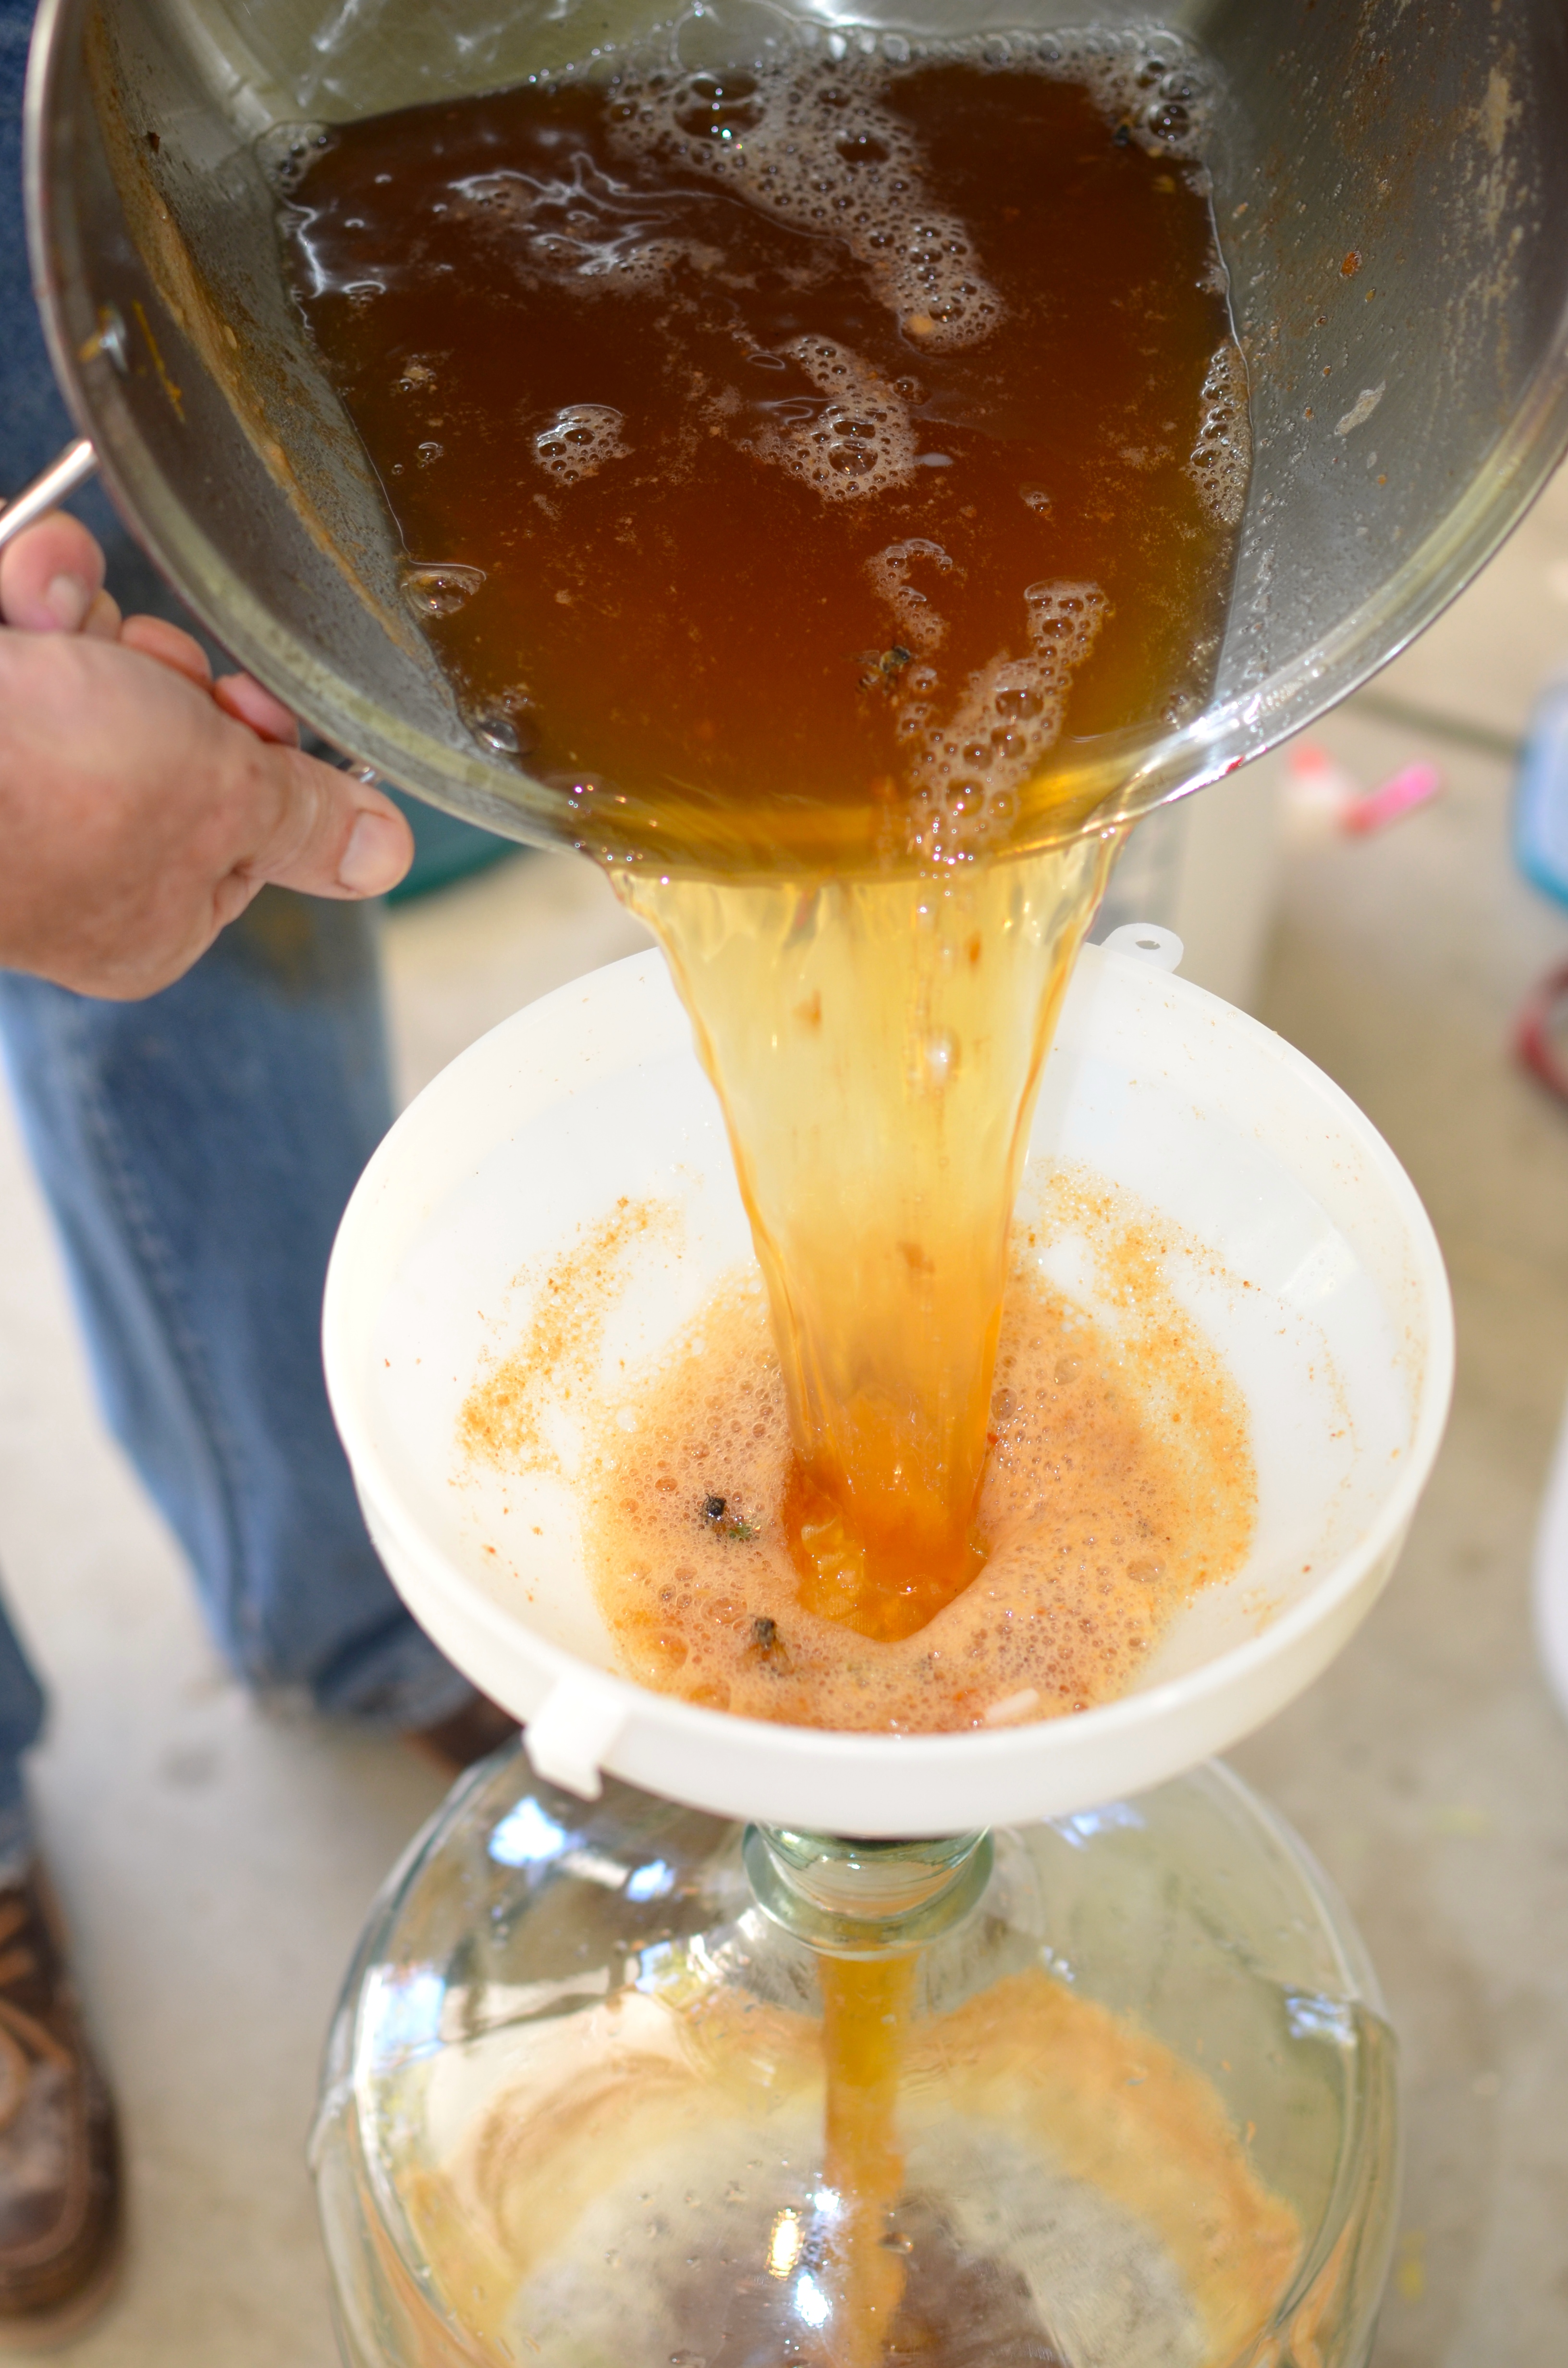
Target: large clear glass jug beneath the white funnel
{"points": [[574, 2099]]}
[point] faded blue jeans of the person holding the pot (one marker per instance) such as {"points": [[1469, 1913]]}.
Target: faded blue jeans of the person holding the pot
{"points": [[198, 1152]]}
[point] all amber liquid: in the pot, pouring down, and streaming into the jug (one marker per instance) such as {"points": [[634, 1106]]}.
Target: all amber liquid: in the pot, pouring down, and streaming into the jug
{"points": [[804, 472]]}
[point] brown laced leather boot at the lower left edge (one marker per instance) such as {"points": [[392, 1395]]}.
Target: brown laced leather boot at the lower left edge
{"points": [[60, 2194]]}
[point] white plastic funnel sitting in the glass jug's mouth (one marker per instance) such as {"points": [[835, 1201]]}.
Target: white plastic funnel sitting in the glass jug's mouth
{"points": [[1342, 1346]]}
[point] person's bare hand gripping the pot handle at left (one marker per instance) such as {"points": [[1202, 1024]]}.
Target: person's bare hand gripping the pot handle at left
{"points": [[143, 804]]}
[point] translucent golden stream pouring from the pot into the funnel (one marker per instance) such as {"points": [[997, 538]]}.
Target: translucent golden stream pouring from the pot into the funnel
{"points": [[878, 1050]]}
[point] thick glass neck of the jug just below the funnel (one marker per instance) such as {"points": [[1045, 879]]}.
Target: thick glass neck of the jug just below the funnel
{"points": [[866, 1898]]}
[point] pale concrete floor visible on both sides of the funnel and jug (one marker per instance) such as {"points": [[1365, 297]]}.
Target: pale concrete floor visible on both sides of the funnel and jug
{"points": [[217, 1865]]}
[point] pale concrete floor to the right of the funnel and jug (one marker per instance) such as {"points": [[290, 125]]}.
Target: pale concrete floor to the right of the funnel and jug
{"points": [[1429, 1770]]}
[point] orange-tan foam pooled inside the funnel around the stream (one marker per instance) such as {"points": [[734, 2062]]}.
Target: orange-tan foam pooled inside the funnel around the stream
{"points": [[1122, 1481]]}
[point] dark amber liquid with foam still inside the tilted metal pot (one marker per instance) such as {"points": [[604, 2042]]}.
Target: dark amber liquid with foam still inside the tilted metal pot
{"points": [[586, 352]]}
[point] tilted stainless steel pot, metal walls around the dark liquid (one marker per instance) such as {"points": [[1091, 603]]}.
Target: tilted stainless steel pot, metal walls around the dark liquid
{"points": [[1392, 188]]}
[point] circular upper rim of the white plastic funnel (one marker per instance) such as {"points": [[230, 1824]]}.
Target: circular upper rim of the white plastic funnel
{"points": [[1039, 1744]]}
